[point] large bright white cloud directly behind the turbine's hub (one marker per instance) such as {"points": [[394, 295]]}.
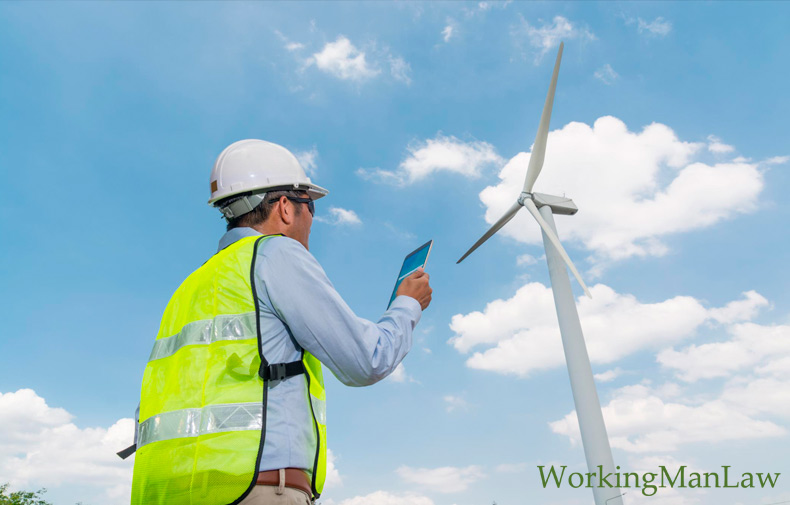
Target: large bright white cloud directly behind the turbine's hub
{"points": [[632, 189]]}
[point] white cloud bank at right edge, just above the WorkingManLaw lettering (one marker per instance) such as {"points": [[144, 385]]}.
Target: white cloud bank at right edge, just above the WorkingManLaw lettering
{"points": [[755, 362]]}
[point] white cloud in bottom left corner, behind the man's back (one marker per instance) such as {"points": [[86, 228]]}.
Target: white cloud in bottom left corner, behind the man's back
{"points": [[40, 446]]}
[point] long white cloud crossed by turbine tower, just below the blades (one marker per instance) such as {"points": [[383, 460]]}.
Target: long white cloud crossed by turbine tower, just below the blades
{"points": [[522, 336]]}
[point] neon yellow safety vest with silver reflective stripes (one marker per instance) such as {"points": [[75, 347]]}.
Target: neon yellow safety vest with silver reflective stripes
{"points": [[203, 401]]}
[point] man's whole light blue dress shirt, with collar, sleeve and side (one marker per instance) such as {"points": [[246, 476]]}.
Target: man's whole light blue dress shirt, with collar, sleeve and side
{"points": [[300, 309]]}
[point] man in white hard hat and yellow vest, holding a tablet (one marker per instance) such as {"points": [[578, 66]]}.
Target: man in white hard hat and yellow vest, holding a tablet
{"points": [[233, 406]]}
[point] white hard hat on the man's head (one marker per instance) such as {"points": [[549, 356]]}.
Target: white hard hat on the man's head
{"points": [[256, 165]]}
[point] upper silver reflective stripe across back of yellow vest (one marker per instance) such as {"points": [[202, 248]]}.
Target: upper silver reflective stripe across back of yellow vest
{"points": [[222, 327]]}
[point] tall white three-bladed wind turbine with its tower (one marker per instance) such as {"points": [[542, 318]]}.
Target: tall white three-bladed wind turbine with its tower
{"points": [[542, 207]]}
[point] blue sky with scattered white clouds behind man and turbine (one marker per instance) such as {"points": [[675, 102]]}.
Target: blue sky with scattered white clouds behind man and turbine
{"points": [[669, 132]]}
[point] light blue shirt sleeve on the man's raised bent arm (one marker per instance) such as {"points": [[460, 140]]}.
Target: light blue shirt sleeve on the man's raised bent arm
{"points": [[357, 351]]}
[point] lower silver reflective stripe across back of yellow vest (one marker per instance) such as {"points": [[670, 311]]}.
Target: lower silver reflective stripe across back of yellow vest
{"points": [[194, 422]]}
